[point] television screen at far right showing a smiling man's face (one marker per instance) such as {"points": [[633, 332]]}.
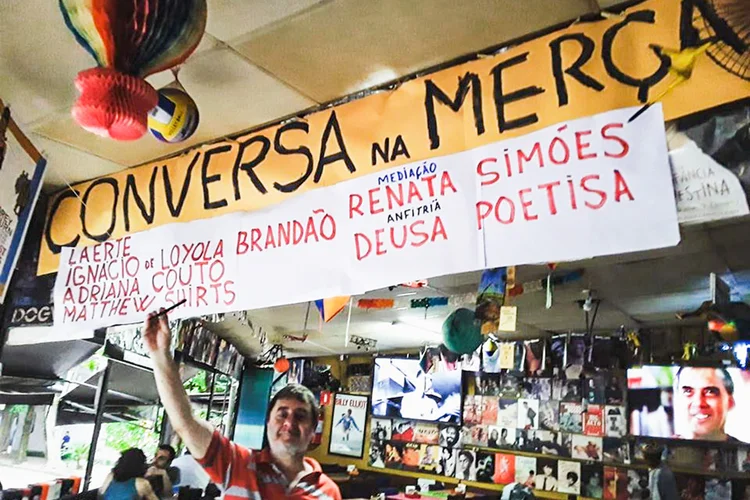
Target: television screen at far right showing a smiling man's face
{"points": [[695, 403]]}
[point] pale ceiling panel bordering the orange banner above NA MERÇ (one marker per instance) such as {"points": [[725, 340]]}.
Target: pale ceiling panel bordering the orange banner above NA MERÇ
{"points": [[348, 45]]}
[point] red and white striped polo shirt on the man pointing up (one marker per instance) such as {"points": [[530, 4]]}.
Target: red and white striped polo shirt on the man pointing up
{"points": [[246, 474]]}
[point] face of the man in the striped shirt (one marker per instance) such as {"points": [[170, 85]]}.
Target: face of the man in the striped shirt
{"points": [[290, 428]]}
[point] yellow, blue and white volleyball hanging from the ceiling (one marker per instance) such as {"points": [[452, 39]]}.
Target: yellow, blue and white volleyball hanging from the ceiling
{"points": [[175, 117]]}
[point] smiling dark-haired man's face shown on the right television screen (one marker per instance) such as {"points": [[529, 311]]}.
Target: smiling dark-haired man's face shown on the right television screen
{"points": [[703, 401]]}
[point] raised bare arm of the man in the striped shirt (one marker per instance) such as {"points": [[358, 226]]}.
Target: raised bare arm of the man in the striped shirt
{"points": [[195, 433]]}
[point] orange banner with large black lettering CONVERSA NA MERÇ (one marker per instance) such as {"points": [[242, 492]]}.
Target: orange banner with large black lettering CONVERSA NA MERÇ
{"points": [[580, 71]]}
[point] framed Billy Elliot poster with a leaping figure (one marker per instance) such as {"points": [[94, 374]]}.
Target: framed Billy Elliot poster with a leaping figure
{"points": [[348, 425]]}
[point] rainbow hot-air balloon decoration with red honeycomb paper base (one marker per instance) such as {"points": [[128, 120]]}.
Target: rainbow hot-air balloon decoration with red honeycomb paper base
{"points": [[129, 41]]}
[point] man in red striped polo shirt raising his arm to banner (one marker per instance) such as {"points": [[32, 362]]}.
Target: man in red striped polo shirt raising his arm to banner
{"points": [[277, 472]]}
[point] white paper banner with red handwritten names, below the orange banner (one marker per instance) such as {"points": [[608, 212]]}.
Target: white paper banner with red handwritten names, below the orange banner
{"points": [[567, 192]]}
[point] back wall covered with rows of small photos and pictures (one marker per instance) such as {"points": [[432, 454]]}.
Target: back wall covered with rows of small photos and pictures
{"points": [[552, 414]]}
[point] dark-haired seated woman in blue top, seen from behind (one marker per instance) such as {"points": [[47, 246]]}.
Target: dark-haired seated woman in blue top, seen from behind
{"points": [[126, 481]]}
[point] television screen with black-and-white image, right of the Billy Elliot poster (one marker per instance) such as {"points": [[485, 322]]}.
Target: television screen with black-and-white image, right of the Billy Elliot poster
{"points": [[406, 388]]}
